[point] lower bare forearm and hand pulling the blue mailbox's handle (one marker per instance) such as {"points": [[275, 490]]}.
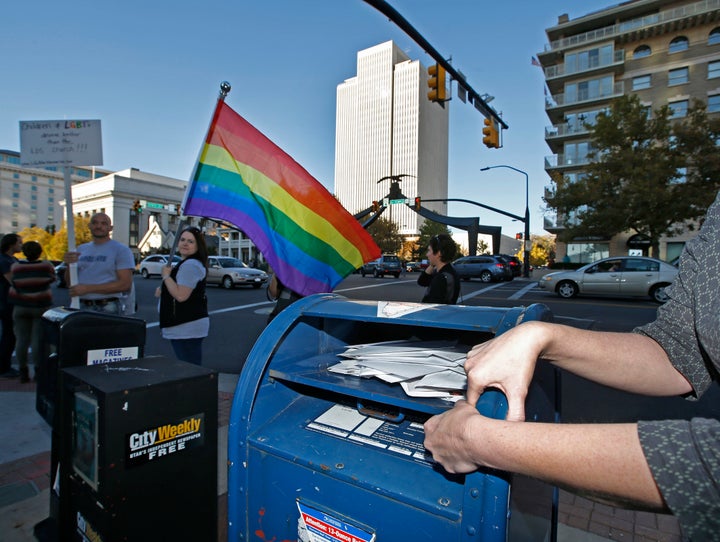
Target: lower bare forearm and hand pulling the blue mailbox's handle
{"points": [[604, 460]]}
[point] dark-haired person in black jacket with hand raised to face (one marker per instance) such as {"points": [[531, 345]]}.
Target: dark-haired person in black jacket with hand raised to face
{"points": [[440, 277]]}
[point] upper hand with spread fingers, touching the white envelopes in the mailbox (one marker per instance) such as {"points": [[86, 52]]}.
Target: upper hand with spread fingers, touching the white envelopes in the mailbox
{"points": [[507, 363]]}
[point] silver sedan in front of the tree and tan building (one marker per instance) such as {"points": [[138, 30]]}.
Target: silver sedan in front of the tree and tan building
{"points": [[619, 276]]}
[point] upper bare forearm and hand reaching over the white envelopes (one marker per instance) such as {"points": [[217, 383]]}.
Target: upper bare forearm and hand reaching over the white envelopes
{"points": [[626, 361]]}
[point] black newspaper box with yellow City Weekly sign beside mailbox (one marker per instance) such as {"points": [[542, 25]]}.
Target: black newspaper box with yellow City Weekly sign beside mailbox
{"points": [[140, 458]]}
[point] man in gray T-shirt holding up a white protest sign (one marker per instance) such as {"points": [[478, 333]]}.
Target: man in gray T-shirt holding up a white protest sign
{"points": [[105, 269]]}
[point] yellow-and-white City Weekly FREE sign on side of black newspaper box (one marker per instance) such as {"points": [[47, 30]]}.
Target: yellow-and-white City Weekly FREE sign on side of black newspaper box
{"points": [[163, 440]]}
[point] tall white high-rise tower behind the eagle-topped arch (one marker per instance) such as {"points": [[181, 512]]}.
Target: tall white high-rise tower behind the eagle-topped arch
{"points": [[385, 125]]}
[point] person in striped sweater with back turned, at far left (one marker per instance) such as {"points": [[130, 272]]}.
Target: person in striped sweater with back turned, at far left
{"points": [[31, 295]]}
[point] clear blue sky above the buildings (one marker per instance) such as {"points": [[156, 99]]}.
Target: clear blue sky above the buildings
{"points": [[151, 70]]}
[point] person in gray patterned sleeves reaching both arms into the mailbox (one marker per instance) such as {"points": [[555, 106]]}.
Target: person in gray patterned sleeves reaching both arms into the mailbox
{"points": [[671, 465]]}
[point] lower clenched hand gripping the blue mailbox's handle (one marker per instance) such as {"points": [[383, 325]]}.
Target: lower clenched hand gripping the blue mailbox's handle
{"points": [[449, 437]]}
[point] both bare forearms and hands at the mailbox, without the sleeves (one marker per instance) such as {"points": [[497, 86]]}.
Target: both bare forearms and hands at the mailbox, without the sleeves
{"points": [[604, 459]]}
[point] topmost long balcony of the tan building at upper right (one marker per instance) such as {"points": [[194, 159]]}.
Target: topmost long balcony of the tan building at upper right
{"points": [[664, 19]]}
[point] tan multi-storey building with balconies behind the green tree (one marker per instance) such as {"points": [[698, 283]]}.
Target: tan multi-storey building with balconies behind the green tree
{"points": [[665, 51]]}
